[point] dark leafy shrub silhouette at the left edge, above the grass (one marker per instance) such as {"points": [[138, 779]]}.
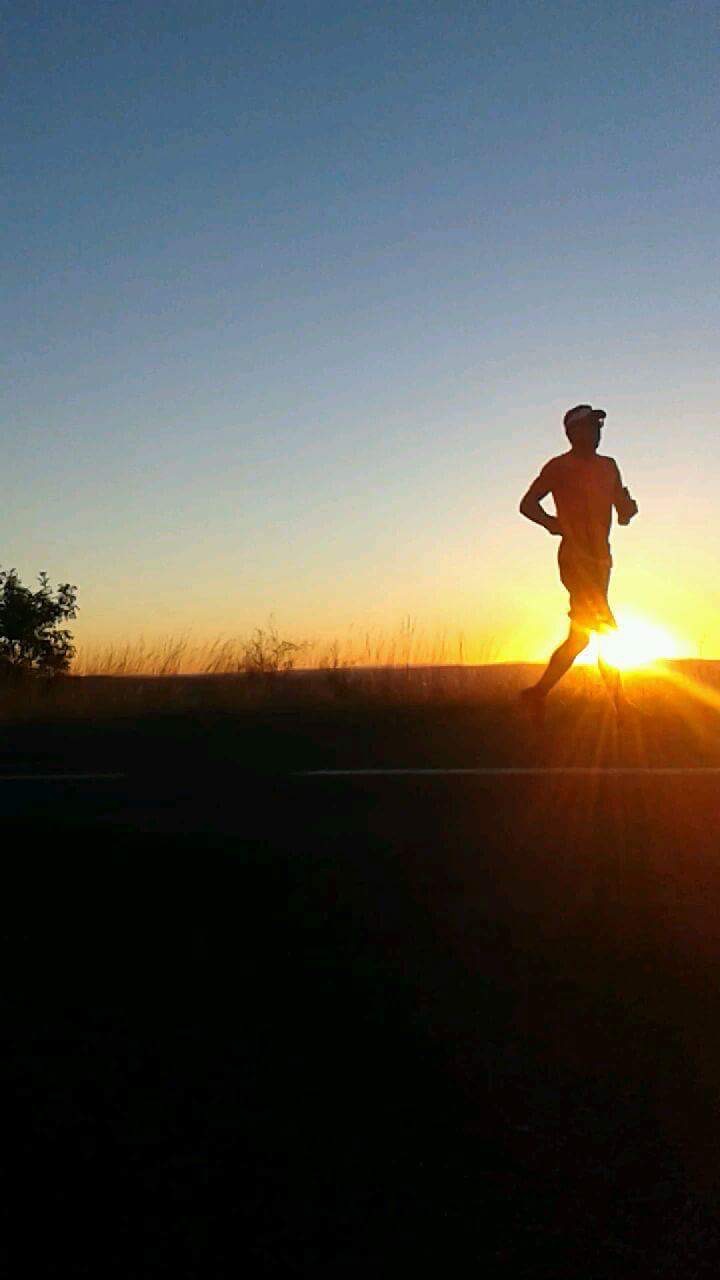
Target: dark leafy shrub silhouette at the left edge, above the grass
{"points": [[33, 641]]}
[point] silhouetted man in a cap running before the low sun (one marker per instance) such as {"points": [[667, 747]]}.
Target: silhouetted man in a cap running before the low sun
{"points": [[586, 488]]}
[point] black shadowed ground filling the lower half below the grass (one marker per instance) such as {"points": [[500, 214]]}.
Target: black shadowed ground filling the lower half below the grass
{"points": [[294, 1026]]}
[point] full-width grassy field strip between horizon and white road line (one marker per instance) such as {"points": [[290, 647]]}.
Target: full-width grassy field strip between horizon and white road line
{"points": [[414, 716]]}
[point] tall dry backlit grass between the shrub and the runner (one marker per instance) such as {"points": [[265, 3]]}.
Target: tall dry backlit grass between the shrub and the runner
{"points": [[266, 669]]}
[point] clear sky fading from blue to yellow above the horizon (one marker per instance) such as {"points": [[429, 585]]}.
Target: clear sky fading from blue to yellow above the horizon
{"points": [[295, 294]]}
